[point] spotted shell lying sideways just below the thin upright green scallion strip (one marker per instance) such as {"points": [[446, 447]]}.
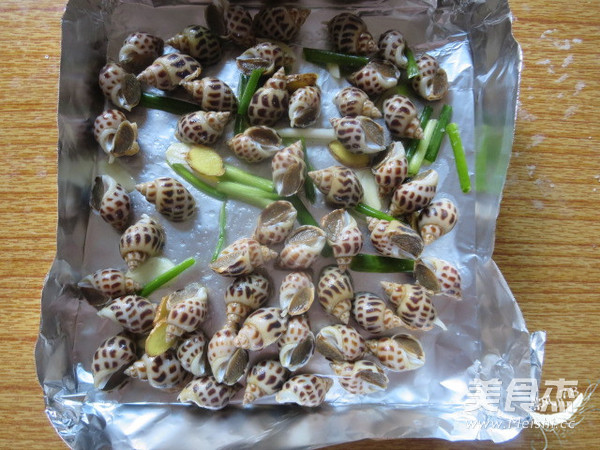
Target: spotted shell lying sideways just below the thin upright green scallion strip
{"points": [[242, 257]]}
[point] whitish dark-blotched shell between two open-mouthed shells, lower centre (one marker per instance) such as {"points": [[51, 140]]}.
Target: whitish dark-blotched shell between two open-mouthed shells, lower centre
{"points": [[262, 328]]}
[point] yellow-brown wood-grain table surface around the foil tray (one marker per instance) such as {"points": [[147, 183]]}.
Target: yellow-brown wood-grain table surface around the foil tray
{"points": [[547, 235]]}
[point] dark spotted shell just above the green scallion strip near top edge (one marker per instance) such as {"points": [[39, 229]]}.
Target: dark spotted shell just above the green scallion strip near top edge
{"points": [[350, 35]]}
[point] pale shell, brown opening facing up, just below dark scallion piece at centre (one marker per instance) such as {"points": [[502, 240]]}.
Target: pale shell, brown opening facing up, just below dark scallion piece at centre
{"points": [[302, 248]]}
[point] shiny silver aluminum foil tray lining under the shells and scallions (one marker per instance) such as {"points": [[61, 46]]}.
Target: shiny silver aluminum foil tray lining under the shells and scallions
{"points": [[486, 337]]}
